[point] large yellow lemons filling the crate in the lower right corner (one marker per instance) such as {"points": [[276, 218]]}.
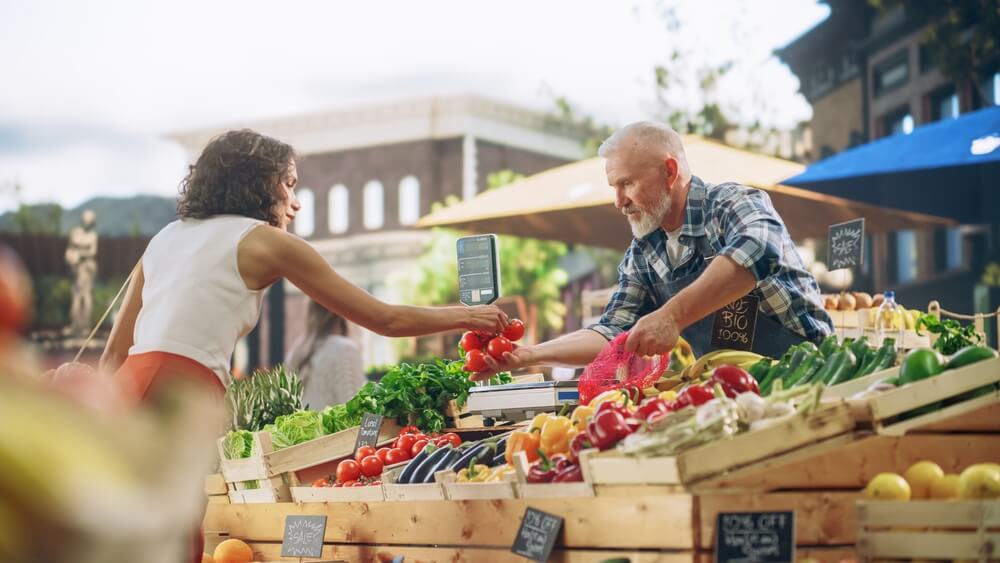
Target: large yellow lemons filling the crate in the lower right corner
{"points": [[926, 480]]}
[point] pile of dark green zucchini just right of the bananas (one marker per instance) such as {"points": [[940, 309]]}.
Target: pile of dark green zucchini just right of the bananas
{"points": [[830, 363]]}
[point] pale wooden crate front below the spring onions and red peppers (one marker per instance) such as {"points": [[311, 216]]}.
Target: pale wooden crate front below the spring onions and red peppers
{"points": [[689, 467]]}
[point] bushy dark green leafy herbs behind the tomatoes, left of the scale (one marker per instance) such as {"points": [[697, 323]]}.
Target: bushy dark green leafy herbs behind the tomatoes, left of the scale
{"points": [[414, 394]]}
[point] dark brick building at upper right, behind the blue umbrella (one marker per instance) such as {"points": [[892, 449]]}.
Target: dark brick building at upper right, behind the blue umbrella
{"points": [[867, 74]]}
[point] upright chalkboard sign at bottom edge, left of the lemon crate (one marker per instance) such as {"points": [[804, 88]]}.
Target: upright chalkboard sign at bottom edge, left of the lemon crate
{"points": [[755, 537]]}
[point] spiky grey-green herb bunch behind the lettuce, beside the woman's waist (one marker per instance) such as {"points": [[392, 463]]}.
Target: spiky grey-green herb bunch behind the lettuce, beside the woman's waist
{"points": [[260, 399]]}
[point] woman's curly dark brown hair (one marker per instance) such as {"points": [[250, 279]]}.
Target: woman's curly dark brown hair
{"points": [[237, 174]]}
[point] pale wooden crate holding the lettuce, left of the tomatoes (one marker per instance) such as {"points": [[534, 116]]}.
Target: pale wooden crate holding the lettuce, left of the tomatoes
{"points": [[274, 471]]}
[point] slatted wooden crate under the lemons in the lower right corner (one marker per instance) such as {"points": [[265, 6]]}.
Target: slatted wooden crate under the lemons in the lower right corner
{"points": [[929, 530]]}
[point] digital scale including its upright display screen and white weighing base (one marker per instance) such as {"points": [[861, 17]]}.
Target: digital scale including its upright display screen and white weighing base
{"points": [[479, 284]]}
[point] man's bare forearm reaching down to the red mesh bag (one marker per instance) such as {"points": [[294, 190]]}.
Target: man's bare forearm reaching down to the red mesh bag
{"points": [[723, 282]]}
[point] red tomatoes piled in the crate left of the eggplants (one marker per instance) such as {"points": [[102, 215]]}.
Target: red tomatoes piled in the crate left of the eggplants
{"points": [[368, 463]]}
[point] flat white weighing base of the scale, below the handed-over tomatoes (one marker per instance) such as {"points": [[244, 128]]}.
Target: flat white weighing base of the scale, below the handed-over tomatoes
{"points": [[522, 401]]}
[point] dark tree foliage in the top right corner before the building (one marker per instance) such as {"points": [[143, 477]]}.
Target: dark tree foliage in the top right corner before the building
{"points": [[962, 37]]}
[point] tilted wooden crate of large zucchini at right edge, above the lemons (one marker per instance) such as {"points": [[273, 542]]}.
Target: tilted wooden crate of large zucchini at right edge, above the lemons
{"points": [[883, 411]]}
